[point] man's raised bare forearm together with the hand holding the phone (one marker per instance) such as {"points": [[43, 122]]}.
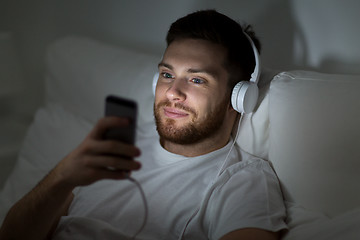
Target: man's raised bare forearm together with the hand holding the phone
{"points": [[36, 215]]}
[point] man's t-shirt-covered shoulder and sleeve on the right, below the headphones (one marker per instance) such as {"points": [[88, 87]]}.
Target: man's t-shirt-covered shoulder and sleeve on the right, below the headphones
{"points": [[246, 195]]}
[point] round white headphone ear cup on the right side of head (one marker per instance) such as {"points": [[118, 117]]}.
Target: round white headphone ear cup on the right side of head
{"points": [[244, 96]]}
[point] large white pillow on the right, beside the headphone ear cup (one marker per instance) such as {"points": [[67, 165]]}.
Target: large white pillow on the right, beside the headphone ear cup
{"points": [[315, 139]]}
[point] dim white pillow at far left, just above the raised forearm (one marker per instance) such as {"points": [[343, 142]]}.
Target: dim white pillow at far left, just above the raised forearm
{"points": [[52, 135]]}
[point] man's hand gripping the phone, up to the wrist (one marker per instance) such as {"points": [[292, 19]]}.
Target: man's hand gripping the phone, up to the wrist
{"points": [[96, 158]]}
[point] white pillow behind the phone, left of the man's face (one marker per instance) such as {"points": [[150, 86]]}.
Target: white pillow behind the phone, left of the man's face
{"points": [[81, 72]]}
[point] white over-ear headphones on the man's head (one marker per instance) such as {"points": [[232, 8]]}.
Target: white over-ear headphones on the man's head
{"points": [[245, 93]]}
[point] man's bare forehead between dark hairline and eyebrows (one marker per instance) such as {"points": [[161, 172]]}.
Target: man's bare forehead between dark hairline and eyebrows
{"points": [[196, 54]]}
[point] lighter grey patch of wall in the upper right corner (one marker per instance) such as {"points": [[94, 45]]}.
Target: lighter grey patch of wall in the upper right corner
{"points": [[331, 35]]}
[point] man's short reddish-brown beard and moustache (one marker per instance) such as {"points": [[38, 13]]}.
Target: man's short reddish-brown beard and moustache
{"points": [[195, 130]]}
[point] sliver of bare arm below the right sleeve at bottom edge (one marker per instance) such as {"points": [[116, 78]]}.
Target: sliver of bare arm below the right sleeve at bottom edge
{"points": [[251, 234]]}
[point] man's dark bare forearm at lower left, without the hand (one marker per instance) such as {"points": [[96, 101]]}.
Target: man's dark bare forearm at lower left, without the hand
{"points": [[38, 211]]}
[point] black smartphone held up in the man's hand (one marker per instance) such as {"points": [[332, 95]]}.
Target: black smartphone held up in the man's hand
{"points": [[121, 107]]}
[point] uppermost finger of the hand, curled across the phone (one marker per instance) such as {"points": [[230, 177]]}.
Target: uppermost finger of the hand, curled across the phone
{"points": [[106, 123]]}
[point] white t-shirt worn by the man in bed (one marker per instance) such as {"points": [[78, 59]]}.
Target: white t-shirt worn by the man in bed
{"points": [[185, 198]]}
